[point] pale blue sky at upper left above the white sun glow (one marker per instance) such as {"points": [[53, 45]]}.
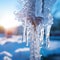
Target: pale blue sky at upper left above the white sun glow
{"points": [[7, 7]]}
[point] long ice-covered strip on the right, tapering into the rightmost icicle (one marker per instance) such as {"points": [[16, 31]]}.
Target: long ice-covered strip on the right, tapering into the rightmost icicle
{"points": [[48, 19]]}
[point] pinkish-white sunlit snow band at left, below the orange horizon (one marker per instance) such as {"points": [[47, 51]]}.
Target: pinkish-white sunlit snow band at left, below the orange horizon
{"points": [[12, 39]]}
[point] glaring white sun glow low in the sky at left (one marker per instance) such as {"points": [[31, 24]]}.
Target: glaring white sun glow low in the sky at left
{"points": [[8, 21]]}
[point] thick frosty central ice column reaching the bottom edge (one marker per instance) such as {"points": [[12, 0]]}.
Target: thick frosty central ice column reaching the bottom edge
{"points": [[34, 46]]}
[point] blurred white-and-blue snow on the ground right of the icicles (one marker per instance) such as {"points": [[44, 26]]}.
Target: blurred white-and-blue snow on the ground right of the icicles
{"points": [[54, 48]]}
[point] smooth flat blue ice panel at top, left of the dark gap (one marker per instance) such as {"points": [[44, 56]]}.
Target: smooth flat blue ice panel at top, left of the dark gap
{"points": [[38, 8]]}
